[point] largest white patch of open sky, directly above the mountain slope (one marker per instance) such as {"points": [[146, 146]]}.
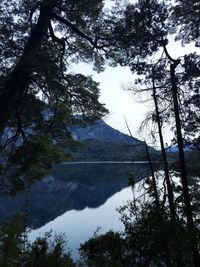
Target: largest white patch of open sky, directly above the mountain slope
{"points": [[118, 101]]}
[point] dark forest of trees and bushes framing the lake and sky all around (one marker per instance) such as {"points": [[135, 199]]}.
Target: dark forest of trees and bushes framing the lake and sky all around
{"points": [[39, 101]]}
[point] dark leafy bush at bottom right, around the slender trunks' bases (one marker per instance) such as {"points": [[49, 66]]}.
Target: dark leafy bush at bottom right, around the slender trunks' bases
{"points": [[152, 238]]}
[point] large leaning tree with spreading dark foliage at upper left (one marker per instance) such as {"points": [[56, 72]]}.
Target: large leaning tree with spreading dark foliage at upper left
{"points": [[38, 41]]}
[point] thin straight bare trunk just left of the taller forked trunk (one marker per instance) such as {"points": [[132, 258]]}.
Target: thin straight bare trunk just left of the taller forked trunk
{"points": [[165, 163]]}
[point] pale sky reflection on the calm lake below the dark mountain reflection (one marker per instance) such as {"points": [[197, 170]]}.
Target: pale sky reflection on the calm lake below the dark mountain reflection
{"points": [[80, 225]]}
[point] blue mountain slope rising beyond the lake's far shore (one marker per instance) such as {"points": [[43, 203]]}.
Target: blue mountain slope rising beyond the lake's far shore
{"points": [[102, 142]]}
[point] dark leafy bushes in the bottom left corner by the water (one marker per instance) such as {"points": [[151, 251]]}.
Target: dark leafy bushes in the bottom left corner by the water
{"points": [[44, 251]]}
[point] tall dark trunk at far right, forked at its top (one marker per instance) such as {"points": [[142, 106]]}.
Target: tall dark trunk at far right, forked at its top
{"points": [[184, 180]]}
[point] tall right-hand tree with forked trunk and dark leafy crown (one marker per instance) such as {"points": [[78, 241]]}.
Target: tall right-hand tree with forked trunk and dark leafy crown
{"points": [[145, 26]]}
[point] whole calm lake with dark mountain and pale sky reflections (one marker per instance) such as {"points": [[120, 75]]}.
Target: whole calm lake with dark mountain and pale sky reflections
{"points": [[77, 199]]}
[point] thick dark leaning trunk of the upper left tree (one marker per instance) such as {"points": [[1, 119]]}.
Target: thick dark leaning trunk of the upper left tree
{"points": [[18, 81]]}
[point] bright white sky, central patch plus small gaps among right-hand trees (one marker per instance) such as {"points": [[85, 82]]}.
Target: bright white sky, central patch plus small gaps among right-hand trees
{"points": [[121, 103]]}
